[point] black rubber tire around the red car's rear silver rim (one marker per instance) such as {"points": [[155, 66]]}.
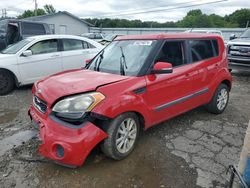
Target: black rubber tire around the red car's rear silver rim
{"points": [[212, 106]]}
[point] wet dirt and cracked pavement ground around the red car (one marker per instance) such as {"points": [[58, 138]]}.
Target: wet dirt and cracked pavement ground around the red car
{"points": [[191, 150]]}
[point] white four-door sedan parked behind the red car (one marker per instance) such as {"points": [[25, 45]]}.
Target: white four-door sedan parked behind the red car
{"points": [[37, 57]]}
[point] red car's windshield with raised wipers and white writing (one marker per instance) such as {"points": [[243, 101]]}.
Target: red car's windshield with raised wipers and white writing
{"points": [[123, 57]]}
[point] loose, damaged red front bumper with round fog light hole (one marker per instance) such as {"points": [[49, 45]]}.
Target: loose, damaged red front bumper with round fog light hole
{"points": [[66, 144]]}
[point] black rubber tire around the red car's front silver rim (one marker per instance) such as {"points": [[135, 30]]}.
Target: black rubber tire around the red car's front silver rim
{"points": [[109, 145]]}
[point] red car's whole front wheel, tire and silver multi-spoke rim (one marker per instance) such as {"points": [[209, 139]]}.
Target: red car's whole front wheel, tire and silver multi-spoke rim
{"points": [[123, 132]]}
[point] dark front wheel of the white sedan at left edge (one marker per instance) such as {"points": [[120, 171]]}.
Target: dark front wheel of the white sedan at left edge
{"points": [[7, 82]]}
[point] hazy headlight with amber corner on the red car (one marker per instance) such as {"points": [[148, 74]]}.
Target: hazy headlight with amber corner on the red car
{"points": [[74, 107]]}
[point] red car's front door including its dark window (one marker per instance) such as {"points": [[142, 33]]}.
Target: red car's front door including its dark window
{"points": [[169, 94]]}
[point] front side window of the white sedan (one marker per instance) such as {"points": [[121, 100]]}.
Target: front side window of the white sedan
{"points": [[46, 46]]}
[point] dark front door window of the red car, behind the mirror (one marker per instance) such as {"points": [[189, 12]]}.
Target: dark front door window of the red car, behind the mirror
{"points": [[172, 52]]}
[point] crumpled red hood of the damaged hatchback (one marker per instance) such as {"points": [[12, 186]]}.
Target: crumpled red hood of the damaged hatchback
{"points": [[73, 82]]}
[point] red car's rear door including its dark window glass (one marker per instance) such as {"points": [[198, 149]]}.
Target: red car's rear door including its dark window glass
{"points": [[204, 60]]}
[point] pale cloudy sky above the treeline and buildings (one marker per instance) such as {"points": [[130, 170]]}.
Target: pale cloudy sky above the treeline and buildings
{"points": [[161, 10]]}
